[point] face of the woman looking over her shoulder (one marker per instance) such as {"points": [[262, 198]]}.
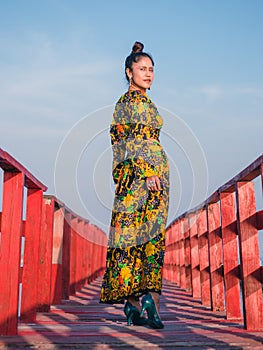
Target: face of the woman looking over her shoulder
{"points": [[142, 74]]}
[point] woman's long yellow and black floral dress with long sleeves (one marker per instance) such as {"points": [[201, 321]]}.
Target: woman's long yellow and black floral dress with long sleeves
{"points": [[136, 244]]}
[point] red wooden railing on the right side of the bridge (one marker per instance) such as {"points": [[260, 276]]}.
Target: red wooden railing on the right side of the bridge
{"points": [[213, 251]]}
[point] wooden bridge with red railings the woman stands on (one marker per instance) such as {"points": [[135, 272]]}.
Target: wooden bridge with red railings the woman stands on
{"points": [[51, 262]]}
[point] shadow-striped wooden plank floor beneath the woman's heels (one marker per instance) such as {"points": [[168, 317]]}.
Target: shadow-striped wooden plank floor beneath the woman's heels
{"points": [[83, 323]]}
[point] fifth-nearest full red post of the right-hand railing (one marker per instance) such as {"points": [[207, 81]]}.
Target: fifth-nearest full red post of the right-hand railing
{"points": [[195, 265]]}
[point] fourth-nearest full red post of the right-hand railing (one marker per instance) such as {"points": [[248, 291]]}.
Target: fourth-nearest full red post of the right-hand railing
{"points": [[204, 257]]}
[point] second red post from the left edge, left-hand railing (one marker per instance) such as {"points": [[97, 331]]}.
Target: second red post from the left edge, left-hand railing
{"points": [[31, 255]]}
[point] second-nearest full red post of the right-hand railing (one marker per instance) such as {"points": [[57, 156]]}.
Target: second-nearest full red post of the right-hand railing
{"points": [[230, 248]]}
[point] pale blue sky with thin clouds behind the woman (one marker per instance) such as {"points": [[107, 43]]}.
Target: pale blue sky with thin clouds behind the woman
{"points": [[61, 66]]}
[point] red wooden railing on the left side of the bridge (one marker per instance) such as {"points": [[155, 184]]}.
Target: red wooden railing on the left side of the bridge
{"points": [[51, 254]]}
